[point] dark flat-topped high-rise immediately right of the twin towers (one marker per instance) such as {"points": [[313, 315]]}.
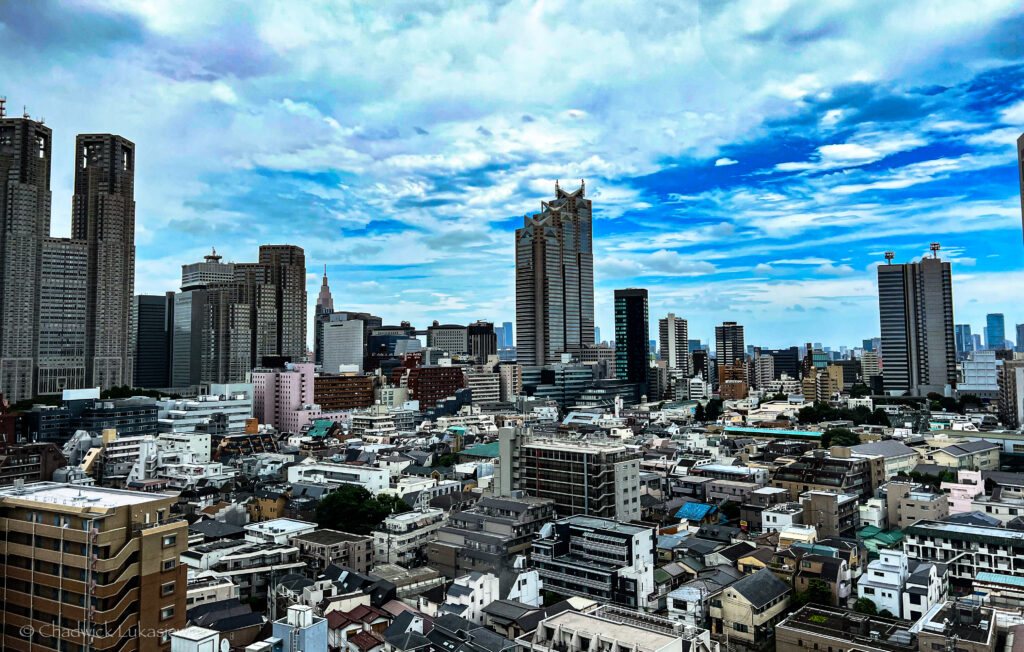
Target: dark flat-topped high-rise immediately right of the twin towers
{"points": [[153, 328]]}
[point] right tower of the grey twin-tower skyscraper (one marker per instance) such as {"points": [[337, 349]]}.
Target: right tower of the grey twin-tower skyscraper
{"points": [[104, 216]]}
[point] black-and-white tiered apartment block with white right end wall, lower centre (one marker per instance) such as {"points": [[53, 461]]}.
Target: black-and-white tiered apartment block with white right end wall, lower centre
{"points": [[601, 559]]}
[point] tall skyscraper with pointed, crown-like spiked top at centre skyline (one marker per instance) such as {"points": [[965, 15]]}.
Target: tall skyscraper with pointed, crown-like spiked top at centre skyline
{"points": [[556, 280]]}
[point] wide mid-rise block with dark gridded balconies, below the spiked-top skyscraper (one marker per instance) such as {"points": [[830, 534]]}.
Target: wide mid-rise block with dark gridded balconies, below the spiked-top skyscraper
{"points": [[594, 477]]}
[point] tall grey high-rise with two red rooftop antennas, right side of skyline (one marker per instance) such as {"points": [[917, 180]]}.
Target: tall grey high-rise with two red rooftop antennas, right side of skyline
{"points": [[916, 313]]}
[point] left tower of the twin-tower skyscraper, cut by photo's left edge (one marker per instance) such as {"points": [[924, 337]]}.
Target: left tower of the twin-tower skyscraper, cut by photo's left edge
{"points": [[25, 222]]}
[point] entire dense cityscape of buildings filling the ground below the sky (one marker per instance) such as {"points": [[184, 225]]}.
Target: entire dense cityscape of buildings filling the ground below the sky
{"points": [[476, 487]]}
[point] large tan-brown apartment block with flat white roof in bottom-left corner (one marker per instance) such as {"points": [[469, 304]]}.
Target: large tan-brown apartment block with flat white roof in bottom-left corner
{"points": [[77, 555]]}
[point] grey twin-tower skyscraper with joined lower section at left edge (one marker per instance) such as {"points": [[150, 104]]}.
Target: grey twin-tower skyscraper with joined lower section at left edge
{"points": [[66, 314]]}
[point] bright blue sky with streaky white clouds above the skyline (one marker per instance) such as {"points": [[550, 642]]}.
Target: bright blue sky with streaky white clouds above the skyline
{"points": [[748, 161]]}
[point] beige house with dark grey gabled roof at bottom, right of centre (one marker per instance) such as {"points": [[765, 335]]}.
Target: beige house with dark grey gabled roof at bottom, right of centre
{"points": [[750, 608]]}
